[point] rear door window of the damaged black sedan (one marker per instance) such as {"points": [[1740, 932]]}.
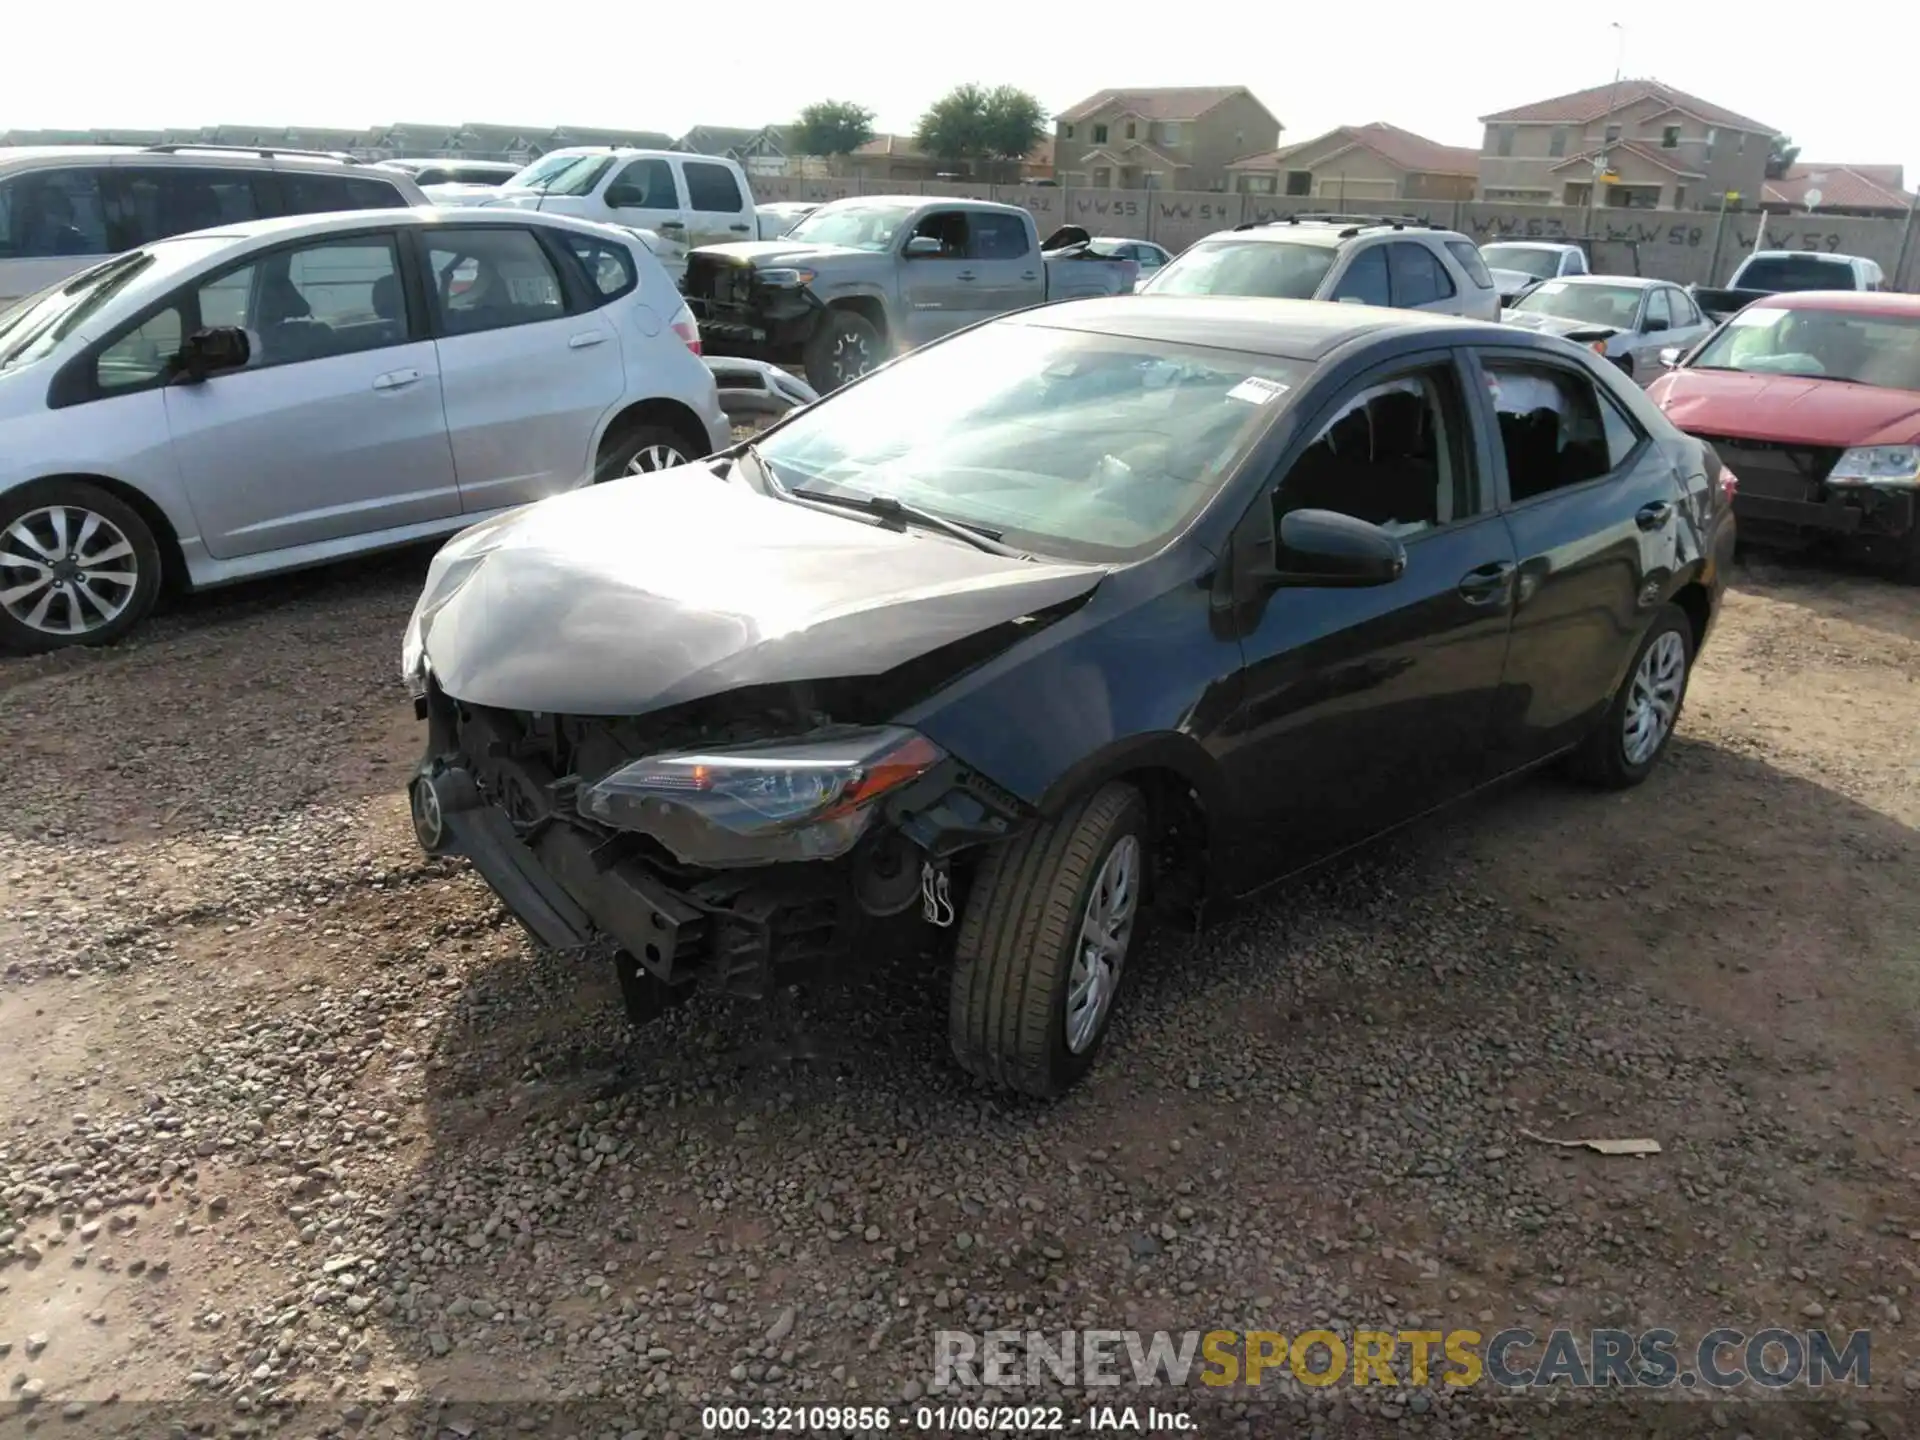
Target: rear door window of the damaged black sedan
{"points": [[1556, 429]]}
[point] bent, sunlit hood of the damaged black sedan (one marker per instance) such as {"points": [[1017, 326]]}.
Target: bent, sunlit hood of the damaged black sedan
{"points": [[658, 590]]}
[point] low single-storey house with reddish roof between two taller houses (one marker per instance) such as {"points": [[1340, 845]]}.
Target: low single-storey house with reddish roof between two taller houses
{"points": [[1360, 164]]}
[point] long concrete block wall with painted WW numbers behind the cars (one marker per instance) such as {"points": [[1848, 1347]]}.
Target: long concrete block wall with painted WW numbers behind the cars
{"points": [[1689, 247]]}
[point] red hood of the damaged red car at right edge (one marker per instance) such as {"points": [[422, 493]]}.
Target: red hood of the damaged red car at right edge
{"points": [[1790, 410]]}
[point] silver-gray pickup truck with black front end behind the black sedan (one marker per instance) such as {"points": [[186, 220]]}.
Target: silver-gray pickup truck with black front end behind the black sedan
{"points": [[869, 277]]}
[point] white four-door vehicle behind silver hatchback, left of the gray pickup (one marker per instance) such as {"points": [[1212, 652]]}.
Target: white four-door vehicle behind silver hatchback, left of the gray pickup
{"points": [[679, 201]]}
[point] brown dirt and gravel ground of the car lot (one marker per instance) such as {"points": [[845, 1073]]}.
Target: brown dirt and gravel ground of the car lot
{"points": [[295, 1115]]}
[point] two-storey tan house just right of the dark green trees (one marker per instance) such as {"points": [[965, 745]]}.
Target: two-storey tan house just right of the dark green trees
{"points": [[1168, 139]]}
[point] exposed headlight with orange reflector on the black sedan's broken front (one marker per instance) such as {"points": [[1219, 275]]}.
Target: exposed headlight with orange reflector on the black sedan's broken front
{"points": [[744, 805]]}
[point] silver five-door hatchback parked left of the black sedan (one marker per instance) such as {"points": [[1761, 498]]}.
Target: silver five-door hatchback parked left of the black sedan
{"points": [[270, 396]]}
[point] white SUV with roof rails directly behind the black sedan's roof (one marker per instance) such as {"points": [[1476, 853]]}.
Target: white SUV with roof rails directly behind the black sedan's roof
{"points": [[1358, 260]]}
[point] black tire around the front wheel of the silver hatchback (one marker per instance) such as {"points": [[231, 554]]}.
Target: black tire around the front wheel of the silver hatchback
{"points": [[74, 500]]}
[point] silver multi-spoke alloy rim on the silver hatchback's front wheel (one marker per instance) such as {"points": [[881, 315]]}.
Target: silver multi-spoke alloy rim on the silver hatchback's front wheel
{"points": [[66, 571]]}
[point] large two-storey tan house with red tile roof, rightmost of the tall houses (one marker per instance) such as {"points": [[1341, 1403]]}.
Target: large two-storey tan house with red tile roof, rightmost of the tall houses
{"points": [[1644, 143]]}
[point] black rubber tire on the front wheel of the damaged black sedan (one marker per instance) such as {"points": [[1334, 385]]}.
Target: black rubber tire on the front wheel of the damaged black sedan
{"points": [[1007, 1015]]}
